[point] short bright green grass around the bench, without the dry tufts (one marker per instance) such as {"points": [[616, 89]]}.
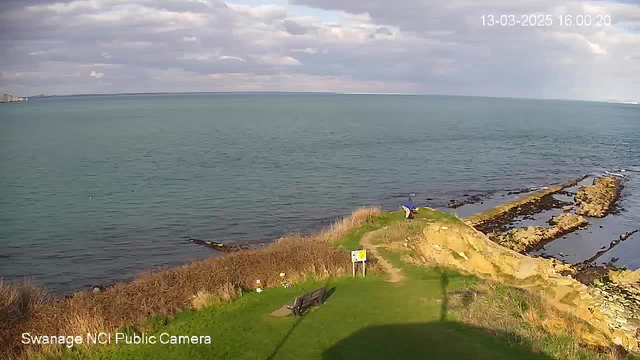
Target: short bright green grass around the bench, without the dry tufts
{"points": [[363, 318]]}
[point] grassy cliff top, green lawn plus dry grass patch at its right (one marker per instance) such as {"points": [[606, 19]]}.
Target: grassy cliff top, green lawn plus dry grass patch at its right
{"points": [[431, 313]]}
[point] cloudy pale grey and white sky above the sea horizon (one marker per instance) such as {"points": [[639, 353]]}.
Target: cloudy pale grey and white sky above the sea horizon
{"points": [[354, 46]]}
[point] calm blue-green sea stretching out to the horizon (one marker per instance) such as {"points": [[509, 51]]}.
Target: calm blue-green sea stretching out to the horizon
{"points": [[95, 189]]}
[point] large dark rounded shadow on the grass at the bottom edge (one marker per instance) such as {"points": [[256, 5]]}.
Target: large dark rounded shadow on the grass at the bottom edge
{"points": [[436, 340]]}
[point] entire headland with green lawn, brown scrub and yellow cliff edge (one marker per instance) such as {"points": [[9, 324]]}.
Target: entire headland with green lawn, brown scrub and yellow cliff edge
{"points": [[459, 295]]}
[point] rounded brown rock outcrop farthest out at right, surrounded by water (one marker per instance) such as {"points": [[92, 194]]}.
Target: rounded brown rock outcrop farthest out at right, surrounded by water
{"points": [[599, 199]]}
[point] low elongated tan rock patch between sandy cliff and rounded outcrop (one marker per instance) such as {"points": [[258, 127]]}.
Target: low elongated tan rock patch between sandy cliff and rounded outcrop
{"points": [[526, 239]]}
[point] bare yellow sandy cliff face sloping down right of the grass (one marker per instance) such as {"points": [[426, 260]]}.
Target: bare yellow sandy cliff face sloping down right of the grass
{"points": [[469, 250]]}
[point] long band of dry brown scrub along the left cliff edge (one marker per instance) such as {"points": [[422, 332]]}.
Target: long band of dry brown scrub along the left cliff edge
{"points": [[25, 308]]}
